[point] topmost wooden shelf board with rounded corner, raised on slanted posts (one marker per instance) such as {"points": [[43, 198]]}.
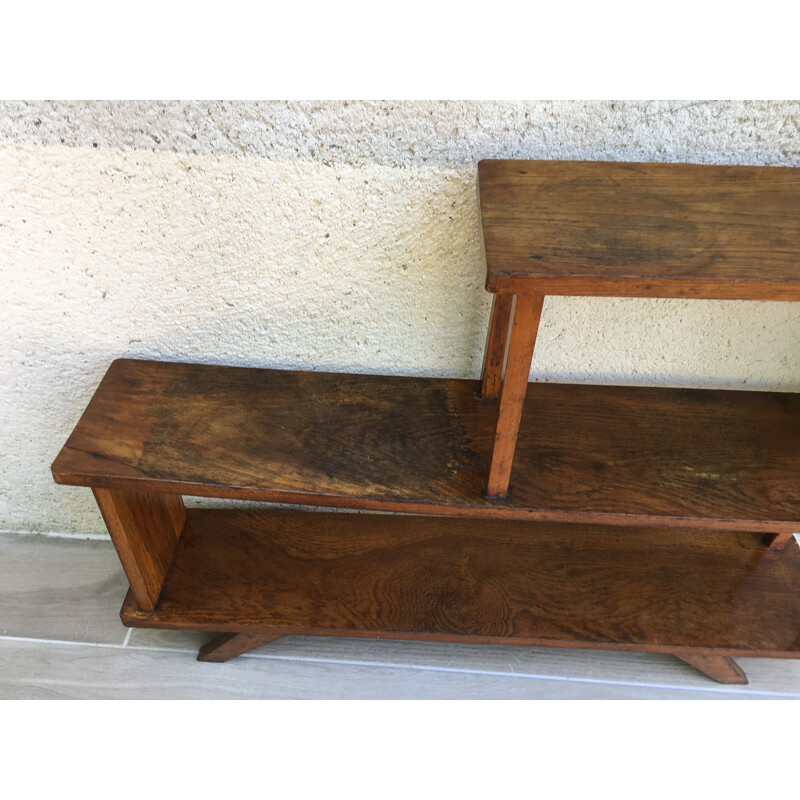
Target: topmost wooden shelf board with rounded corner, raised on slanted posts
{"points": [[641, 230]]}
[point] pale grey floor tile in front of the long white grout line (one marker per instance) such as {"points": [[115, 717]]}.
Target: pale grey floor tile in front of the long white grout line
{"points": [[41, 670]]}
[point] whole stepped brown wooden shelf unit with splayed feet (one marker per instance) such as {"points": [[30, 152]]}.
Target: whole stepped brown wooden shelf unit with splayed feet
{"points": [[611, 517]]}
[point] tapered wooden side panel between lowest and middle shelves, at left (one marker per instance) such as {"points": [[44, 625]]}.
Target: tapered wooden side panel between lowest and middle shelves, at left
{"points": [[145, 527]]}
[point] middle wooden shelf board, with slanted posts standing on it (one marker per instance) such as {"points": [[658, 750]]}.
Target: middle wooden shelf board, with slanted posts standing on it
{"points": [[604, 454]]}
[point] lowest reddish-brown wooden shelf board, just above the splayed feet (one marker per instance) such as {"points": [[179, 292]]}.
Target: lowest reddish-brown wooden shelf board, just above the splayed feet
{"points": [[493, 581]]}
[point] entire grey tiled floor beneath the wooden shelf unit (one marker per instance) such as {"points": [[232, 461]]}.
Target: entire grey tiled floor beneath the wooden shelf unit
{"points": [[60, 637]]}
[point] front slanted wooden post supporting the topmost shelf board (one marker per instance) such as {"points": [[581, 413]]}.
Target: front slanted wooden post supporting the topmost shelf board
{"points": [[527, 313]]}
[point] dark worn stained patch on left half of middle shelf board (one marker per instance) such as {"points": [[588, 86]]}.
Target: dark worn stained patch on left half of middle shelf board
{"points": [[350, 425]]}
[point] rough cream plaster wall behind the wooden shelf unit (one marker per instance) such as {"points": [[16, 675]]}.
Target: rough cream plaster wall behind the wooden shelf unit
{"points": [[339, 236]]}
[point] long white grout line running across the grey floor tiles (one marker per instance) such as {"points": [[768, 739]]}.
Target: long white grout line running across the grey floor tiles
{"points": [[420, 667]]}
